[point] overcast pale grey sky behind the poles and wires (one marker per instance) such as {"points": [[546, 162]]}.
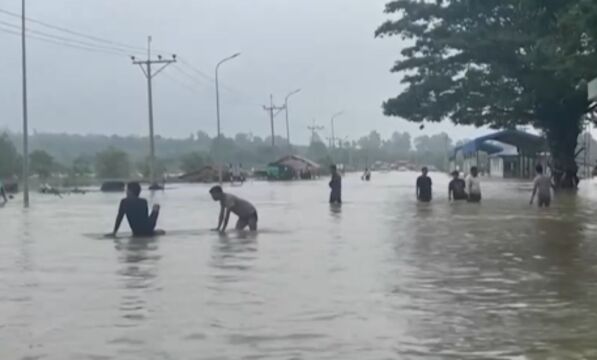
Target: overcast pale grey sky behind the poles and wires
{"points": [[325, 47]]}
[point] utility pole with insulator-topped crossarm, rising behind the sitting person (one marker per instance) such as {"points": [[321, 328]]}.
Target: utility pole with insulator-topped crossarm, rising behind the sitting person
{"points": [[146, 67]]}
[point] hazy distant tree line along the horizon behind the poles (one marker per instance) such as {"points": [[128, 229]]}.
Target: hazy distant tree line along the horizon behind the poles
{"points": [[80, 157]]}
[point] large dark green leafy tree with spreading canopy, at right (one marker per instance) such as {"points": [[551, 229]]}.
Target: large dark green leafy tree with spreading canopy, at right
{"points": [[500, 63]]}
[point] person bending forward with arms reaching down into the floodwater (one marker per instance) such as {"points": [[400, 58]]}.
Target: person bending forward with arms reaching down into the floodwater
{"points": [[246, 212]]}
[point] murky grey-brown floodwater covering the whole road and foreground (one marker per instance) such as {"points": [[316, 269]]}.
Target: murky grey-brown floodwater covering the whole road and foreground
{"points": [[382, 277]]}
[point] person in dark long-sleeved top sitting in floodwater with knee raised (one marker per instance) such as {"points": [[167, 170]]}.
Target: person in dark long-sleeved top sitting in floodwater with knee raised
{"points": [[136, 210]]}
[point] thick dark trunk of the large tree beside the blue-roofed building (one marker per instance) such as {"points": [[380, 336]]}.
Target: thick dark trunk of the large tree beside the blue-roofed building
{"points": [[563, 129]]}
